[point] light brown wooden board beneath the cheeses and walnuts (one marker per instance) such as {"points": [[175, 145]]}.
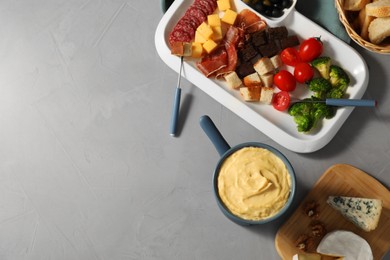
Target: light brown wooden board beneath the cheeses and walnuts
{"points": [[343, 180]]}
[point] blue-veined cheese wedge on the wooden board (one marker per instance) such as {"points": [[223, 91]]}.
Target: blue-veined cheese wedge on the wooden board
{"points": [[363, 212]]}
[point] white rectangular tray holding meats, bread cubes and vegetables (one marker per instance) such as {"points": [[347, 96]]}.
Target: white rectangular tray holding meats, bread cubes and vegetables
{"points": [[279, 126]]}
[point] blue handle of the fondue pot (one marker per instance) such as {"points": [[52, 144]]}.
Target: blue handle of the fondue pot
{"points": [[214, 135]]}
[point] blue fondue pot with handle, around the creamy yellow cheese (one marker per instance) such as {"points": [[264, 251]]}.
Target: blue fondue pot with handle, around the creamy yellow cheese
{"points": [[225, 151]]}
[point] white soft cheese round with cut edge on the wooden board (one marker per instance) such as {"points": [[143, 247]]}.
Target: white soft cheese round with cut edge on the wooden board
{"points": [[346, 244]]}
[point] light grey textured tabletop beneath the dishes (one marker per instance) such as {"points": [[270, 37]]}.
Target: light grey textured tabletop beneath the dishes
{"points": [[88, 169]]}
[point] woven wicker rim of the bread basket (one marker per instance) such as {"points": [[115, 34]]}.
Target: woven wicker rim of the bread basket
{"points": [[382, 49]]}
